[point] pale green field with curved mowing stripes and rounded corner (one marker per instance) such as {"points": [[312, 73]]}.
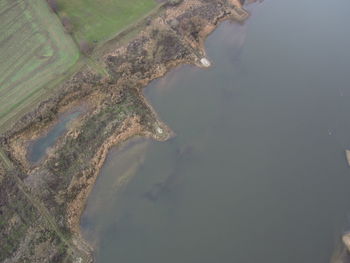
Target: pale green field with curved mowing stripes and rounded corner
{"points": [[34, 50]]}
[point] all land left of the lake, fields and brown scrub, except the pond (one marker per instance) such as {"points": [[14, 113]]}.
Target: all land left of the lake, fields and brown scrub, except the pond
{"points": [[57, 57]]}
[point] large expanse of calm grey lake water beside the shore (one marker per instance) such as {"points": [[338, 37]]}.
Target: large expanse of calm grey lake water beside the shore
{"points": [[257, 172]]}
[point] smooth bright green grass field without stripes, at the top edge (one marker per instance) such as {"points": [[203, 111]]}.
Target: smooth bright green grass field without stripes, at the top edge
{"points": [[99, 20]]}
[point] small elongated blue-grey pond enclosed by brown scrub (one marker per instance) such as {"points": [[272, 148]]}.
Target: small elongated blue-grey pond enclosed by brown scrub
{"points": [[38, 148]]}
